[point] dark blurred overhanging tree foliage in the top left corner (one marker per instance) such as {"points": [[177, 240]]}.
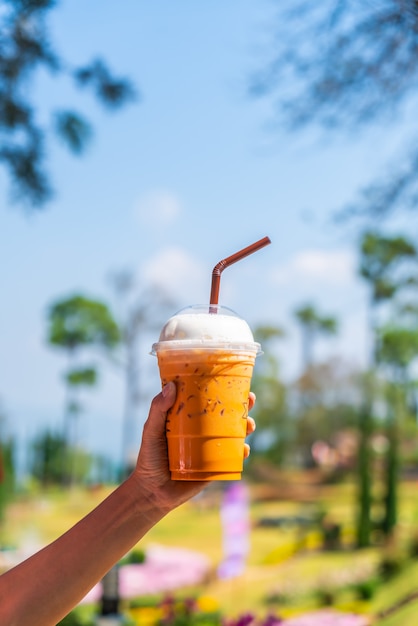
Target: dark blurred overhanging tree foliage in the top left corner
{"points": [[25, 49]]}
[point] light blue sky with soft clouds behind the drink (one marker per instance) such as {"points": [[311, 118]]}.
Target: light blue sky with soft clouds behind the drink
{"points": [[172, 184]]}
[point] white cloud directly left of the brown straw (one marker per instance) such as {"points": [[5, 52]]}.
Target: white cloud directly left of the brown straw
{"points": [[178, 273]]}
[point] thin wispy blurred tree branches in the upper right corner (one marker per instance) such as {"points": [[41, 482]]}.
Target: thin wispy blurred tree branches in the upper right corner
{"points": [[347, 64]]}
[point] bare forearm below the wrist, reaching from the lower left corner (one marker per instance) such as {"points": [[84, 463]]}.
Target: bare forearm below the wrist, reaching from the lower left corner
{"points": [[46, 586]]}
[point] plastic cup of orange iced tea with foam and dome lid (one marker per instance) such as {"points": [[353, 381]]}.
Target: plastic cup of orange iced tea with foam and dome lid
{"points": [[210, 357]]}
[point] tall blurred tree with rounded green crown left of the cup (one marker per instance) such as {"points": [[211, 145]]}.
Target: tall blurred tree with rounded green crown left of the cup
{"points": [[74, 324]]}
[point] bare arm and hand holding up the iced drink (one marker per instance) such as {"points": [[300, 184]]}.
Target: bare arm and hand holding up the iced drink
{"points": [[51, 582]]}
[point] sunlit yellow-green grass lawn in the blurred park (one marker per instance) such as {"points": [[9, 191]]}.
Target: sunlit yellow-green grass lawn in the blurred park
{"points": [[273, 579]]}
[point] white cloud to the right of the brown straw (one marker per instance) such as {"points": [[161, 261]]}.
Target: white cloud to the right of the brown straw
{"points": [[332, 267]]}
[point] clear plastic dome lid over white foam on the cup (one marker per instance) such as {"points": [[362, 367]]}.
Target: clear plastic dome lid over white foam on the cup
{"points": [[204, 325]]}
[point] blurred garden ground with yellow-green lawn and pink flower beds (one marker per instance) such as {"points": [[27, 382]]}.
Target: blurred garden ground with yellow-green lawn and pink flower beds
{"points": [[294, 571]]}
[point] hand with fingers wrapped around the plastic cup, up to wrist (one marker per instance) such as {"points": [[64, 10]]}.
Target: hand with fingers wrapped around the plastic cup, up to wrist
{"points": [[152, 464]]}
